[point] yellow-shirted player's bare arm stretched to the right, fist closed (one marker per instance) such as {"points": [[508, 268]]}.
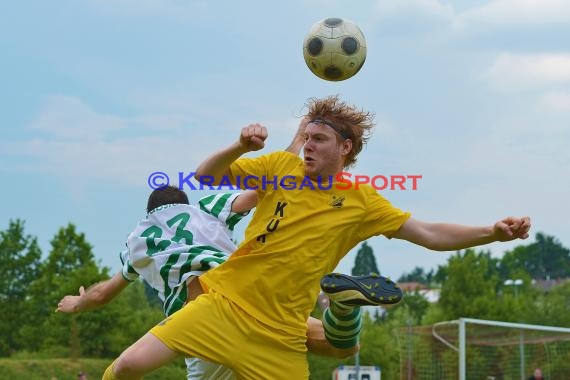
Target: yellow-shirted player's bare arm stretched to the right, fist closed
{"points": [[451, 237]]}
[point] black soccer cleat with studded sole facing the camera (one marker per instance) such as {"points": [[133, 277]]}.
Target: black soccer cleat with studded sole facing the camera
{"points": [[361, 290]]}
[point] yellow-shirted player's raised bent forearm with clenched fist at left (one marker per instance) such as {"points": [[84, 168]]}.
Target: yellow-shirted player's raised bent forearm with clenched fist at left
{"points": [[217, 165]]}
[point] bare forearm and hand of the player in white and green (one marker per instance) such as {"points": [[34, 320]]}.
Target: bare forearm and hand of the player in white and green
{"points": [[96, 296]]}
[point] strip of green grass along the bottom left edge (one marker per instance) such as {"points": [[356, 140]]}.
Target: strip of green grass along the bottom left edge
{"points": [[66, 369]]}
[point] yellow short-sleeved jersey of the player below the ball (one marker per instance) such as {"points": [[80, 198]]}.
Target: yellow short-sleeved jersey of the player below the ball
{"points": [[299, 232]]}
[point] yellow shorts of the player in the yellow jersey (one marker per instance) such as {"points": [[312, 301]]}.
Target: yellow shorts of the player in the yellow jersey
{"points": [[215, 329]]}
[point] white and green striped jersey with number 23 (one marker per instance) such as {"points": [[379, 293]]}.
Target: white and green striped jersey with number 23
{"points": [[177, 241]]}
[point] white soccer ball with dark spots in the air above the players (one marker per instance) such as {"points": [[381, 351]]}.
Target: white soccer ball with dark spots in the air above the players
{"points": [[334, 49]]}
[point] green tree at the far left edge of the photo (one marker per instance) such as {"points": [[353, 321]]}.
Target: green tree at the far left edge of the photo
{"points": [[19, 260]]}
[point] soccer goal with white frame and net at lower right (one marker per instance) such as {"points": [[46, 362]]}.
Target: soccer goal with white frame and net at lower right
{"points": [[474, 349]]}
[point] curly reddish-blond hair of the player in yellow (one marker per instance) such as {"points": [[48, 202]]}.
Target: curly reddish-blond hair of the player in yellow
{"points": [[349, 121]]}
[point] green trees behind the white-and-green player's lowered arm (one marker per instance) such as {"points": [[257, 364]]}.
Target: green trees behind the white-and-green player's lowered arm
{"points": [[100, 333]]}
